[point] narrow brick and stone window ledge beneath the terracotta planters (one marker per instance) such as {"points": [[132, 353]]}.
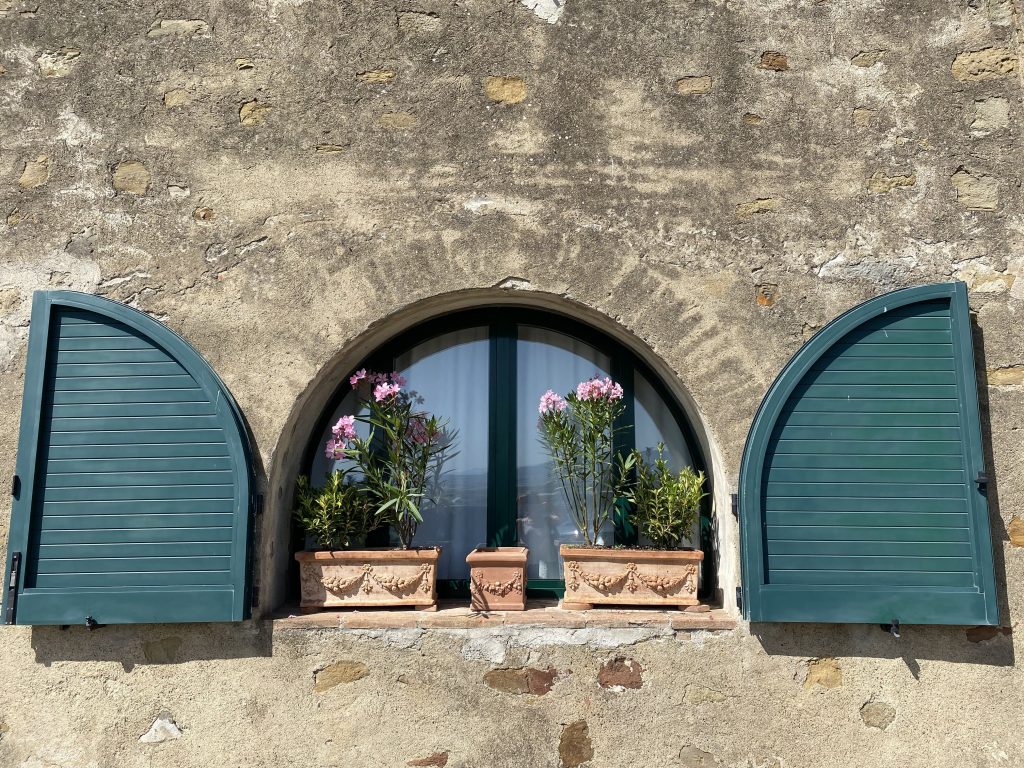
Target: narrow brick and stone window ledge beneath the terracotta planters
{"points": [[456, 615]]}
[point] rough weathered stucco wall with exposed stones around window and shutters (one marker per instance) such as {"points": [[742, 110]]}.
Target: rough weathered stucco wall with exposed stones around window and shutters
{"points": [[276, 180]]}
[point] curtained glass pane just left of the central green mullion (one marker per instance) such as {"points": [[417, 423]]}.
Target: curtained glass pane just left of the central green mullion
{"points": [[451, 373]]}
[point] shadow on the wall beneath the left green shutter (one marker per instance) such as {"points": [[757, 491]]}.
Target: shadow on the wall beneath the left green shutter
{"points": [[134, 646]]}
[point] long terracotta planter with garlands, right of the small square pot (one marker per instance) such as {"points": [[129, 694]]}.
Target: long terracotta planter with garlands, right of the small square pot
{"points": [[595, 576]]}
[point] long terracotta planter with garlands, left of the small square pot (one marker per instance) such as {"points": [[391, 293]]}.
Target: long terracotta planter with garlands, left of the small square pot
{"points": [[369, 578]]}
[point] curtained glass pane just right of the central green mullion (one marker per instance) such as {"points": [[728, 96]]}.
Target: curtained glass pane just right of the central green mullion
{"points": [[547, 361]]}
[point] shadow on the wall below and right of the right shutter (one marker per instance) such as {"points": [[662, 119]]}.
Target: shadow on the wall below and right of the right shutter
{"points": [[982, 646]]}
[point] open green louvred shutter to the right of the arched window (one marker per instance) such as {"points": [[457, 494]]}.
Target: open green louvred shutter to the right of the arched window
{"points": [[860, 490]]}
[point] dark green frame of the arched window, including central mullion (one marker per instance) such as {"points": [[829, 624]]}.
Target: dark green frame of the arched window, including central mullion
{"points": [[502, 325]]}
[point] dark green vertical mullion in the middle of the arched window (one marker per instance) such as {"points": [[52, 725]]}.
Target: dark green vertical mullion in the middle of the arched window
{"points": [[502, 482]]}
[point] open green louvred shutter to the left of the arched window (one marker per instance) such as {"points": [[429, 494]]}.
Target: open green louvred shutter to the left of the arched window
{"points": [[134, 488]]}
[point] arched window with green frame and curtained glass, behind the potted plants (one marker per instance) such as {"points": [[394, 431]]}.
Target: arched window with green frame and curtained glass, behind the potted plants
{"points": [[485, 370]]}
